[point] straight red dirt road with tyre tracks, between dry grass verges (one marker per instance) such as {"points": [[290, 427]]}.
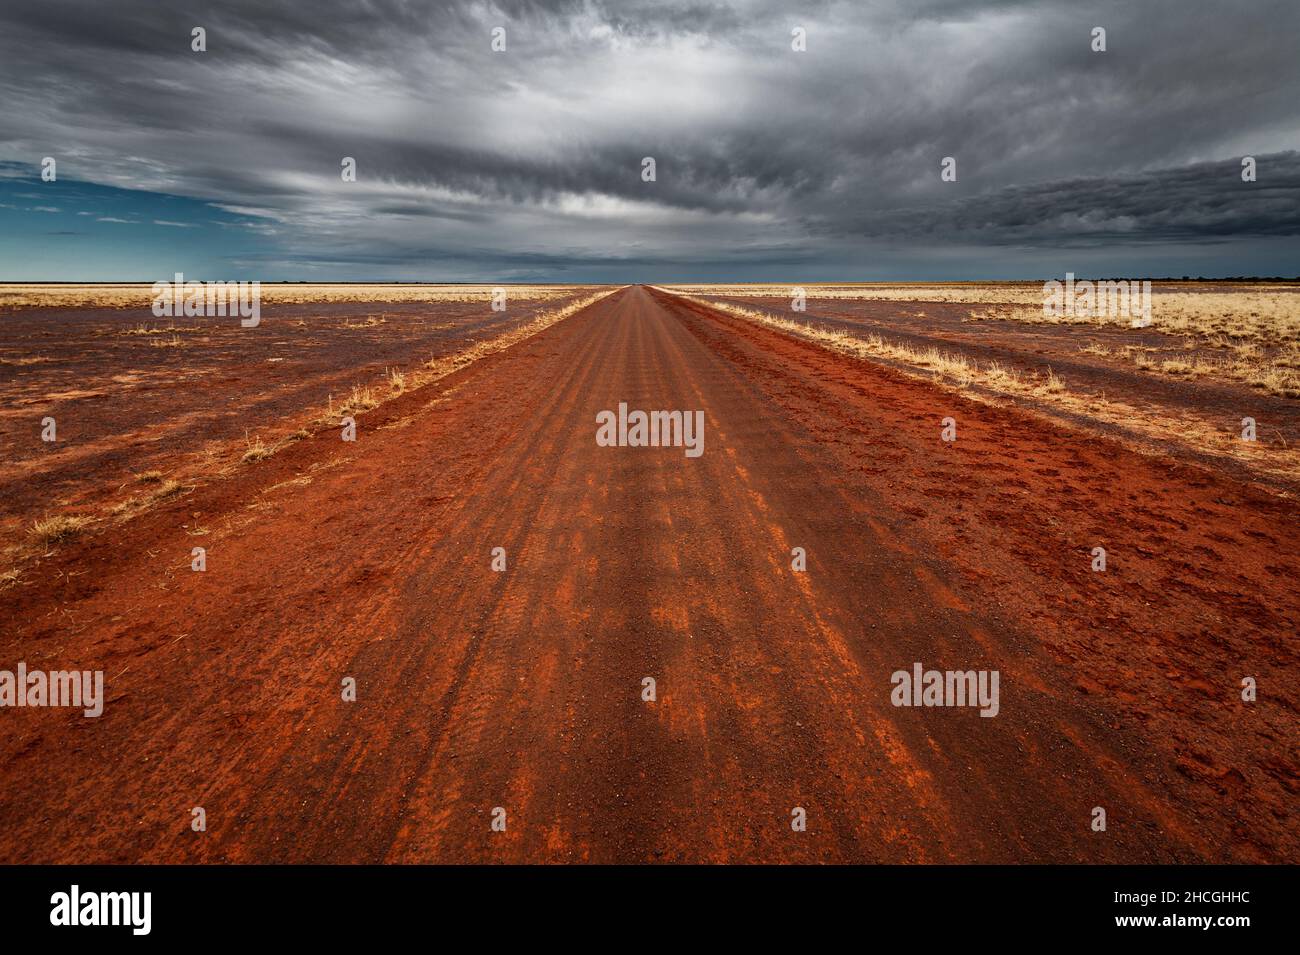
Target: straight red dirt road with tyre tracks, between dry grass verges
{"points": [[523, 689]]}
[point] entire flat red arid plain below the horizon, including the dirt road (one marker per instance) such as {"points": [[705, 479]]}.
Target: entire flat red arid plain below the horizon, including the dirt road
{"points": [[523, 689]]}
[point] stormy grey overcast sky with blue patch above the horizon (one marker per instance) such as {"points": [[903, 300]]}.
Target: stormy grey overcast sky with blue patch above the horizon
{"points": [[527, 164]]}
